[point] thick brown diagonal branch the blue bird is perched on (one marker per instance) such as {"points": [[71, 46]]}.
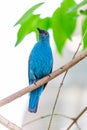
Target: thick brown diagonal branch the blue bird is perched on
{"points": [[44, 80]]}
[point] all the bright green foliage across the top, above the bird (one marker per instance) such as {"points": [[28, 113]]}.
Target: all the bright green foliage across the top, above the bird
{"points": [[63, 22]]}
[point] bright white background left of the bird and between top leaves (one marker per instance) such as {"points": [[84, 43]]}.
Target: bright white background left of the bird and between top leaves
{"points": [[13, 61]]}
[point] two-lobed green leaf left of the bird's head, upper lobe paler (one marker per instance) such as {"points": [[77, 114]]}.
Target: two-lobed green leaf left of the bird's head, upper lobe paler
{"points": [[28, 23]]}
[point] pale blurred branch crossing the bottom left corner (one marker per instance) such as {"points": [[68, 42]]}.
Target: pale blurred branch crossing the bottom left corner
{"points": [[9, 124]]}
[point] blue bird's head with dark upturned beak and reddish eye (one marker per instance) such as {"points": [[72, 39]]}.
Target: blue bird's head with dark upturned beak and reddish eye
{"points": [[43, 34]]}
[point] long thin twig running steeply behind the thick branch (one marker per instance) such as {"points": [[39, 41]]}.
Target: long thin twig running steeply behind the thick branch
{"points": [[61, 84]]}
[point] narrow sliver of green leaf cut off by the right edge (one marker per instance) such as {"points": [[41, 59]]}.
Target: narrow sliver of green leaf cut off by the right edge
{"points": [[84, 33]]}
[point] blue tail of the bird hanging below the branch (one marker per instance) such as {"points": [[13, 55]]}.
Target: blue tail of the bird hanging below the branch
{"points": [[34, 99]]}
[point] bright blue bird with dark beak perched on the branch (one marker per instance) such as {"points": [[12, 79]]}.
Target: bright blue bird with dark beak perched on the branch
{"points": [[40, 64]]}
